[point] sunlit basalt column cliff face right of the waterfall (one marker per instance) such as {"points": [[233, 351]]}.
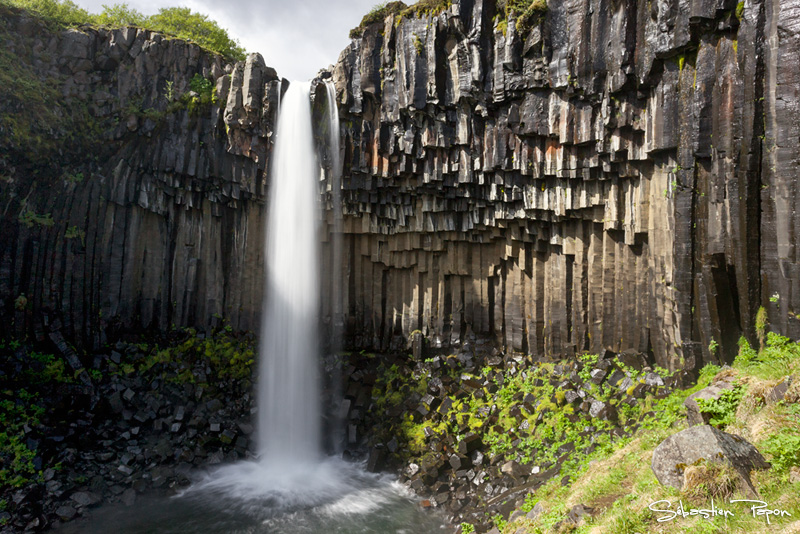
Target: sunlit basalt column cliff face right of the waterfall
{"points": [[620, 176]]}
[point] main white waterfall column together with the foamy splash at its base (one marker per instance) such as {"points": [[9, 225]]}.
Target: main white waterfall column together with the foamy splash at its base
{"points": [[290, 471]]}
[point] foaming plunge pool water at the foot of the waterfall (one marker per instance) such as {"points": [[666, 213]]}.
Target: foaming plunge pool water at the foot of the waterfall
{"points": [[329, 497]]}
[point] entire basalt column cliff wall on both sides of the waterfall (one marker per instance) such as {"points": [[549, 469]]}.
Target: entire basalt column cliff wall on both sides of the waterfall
{"points": [[619, 176]]}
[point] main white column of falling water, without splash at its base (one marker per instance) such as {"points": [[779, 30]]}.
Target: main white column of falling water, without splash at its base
{"points": [[288, 397]]}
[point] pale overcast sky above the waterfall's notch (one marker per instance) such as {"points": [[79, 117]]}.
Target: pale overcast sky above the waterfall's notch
{"points": [[297, 38]]}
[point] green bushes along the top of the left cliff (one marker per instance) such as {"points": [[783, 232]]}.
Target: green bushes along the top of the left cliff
{"points": [[180, 22]]}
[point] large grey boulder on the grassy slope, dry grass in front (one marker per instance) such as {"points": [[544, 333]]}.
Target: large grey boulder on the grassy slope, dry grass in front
{"points": [[680, 450]]}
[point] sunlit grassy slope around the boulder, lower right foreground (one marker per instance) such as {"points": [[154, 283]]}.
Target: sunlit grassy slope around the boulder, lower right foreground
{"points": [[619, 487]]}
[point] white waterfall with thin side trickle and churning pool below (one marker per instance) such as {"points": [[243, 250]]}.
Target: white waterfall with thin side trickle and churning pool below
{"points": [[292, 488]]}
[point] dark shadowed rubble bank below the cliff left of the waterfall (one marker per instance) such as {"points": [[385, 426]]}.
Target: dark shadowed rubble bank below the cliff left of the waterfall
{"points": [[136, 419]]}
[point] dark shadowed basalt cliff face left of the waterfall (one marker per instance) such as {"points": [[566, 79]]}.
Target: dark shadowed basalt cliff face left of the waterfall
{"points": [[159, 221]]}
